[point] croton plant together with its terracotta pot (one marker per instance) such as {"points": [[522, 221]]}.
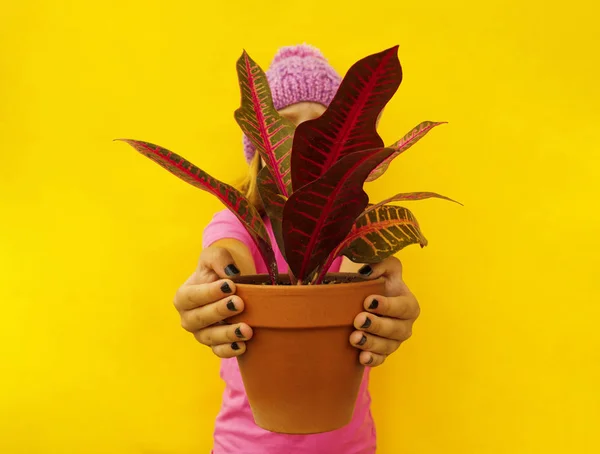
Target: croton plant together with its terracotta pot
{"points": [[300, 372]]}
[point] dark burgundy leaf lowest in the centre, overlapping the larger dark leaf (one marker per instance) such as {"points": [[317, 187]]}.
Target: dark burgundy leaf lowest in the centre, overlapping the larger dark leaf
{"points": [[318, 217]]}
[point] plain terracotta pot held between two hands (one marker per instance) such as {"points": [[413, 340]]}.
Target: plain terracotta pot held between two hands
{"points": [[300, 372]]}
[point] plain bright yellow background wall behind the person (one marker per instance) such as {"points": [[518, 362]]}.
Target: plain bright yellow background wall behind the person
{"points": [[95, 238]]}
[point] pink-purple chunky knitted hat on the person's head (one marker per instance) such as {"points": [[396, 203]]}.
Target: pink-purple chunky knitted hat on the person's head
{"points": [[298, 73]]}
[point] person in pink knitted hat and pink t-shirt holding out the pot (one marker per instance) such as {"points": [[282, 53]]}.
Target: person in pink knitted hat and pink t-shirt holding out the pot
{"points": [[303, 84]]}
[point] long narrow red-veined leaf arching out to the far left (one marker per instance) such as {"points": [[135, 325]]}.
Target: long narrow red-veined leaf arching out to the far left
{"points": [[231, 197]]}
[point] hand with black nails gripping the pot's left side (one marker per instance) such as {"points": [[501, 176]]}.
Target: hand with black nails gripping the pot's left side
{"points": [[207, 298]]}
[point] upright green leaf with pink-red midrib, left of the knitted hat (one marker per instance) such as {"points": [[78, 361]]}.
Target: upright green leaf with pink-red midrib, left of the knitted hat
{"points": [[270, 133]]}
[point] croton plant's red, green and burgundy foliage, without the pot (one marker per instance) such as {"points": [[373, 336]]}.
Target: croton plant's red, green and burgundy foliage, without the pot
{"points": [[312, 182]]}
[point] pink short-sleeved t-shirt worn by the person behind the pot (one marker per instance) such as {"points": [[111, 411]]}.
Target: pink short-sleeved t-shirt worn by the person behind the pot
{"points": [[235, 430]]}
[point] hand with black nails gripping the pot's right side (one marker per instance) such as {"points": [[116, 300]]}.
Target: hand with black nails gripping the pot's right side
{"points": [[388, 319]]}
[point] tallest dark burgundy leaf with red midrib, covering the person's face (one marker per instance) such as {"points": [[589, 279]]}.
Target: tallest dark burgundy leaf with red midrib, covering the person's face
{"points": [[349, 124]]}
